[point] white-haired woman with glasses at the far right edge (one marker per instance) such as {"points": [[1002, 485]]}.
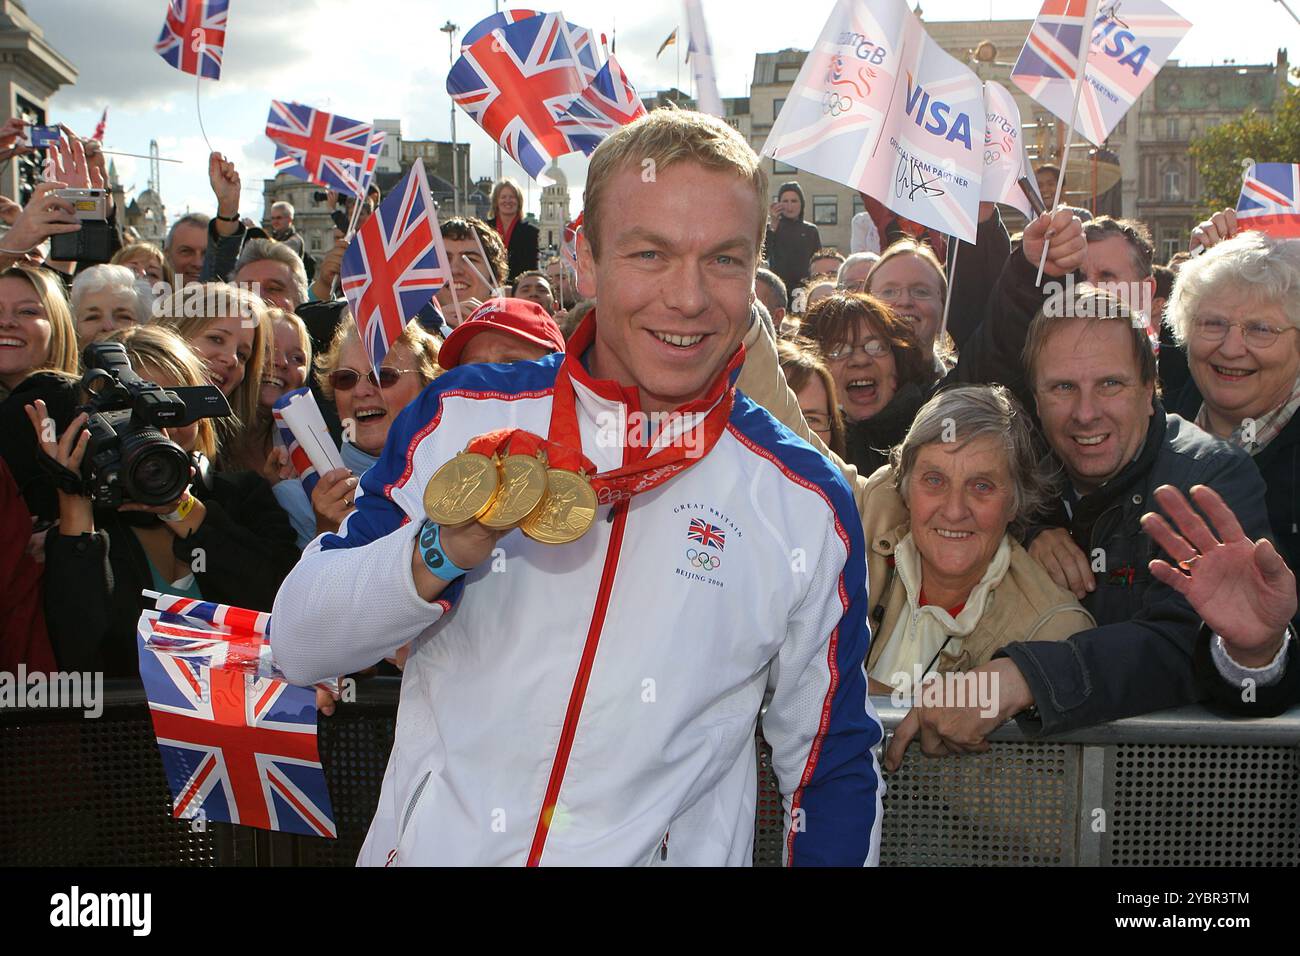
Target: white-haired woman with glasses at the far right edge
{"points": [[1237, 314]]}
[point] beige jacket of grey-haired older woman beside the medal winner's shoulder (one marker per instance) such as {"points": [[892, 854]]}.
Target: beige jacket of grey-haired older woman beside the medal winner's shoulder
{"points": [[1026, 605]]}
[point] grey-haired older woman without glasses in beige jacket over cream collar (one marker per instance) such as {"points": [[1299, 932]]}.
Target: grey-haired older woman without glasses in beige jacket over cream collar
{"points": [[950, 582]]}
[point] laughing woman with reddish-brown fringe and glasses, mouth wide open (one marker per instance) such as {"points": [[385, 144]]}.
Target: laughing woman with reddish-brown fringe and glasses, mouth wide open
{"points": [[882, 373]]}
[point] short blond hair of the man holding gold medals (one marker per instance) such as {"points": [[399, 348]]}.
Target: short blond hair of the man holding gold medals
{"points": [[657, 141]]}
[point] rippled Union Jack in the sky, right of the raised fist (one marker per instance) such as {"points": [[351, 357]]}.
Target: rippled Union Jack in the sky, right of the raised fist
{"points": [[320, 148]]}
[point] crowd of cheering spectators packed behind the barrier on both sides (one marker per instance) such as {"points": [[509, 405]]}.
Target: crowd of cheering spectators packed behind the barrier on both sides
{"points": [[1006, 445]]}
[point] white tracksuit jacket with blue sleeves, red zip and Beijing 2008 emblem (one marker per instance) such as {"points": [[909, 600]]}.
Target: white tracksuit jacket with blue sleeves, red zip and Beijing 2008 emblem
{"points": [[596, 703]]}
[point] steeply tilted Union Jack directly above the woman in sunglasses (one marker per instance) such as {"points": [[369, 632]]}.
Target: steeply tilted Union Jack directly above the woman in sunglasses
{"points": [[396, 266]]}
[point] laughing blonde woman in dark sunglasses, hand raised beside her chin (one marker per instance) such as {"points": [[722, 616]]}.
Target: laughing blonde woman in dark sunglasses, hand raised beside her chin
{"points": [[367, 405]]}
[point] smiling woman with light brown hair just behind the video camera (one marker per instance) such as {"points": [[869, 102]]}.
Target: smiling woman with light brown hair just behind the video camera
{"points": [[231, 331]]}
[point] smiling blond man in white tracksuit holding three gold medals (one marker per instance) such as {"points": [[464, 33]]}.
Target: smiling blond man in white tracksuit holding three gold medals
{"points": [[600, 617]]}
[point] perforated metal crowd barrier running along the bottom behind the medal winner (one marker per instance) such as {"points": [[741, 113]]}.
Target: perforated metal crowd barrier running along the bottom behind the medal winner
{"points": [[1176, 789]]}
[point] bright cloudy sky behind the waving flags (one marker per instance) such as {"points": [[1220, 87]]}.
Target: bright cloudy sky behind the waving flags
{"points": [[371, 59]]}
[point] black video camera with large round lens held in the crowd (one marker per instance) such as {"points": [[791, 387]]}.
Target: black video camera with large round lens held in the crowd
{"points": [[128, 457]]}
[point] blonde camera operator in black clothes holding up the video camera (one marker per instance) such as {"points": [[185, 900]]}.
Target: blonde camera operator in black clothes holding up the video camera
{"points": [[223, 540]]}
